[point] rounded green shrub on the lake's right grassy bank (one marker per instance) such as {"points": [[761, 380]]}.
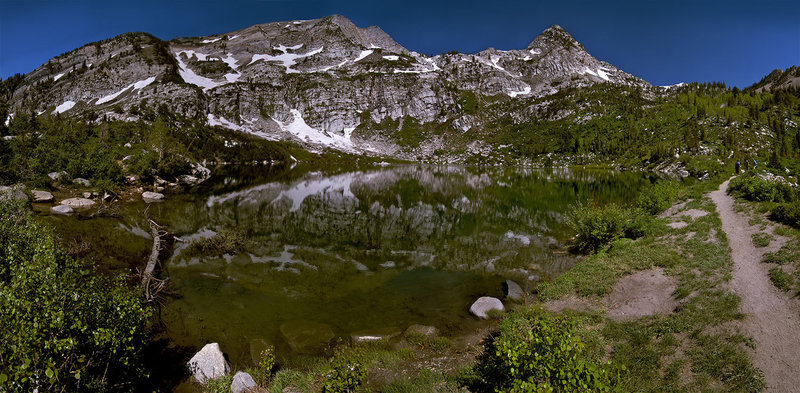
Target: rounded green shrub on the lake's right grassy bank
{"points": [[597, 226]]}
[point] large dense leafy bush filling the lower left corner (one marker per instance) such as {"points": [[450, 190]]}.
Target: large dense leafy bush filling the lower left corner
{"points": [[62, 324]]}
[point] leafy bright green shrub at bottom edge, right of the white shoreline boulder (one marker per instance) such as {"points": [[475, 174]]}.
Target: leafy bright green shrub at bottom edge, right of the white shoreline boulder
{"points": [[536, 352]]}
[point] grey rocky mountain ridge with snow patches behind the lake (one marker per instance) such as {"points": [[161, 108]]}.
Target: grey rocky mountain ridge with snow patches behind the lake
{"points": [[324, 82]]}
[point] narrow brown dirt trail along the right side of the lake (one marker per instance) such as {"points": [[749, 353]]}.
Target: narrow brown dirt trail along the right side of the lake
{"points": [[773, 317]]}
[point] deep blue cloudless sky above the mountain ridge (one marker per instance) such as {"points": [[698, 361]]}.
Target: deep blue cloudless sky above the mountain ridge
{"points": [[664, 42]]}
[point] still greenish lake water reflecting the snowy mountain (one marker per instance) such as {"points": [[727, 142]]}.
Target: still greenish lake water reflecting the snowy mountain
{"points": [[374, 249]]}
